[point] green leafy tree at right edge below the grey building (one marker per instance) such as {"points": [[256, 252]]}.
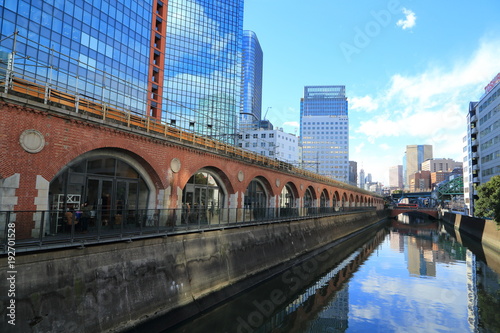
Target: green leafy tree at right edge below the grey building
{"points": [[488, 204]]}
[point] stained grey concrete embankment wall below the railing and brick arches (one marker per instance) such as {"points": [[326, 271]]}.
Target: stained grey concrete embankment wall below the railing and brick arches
{"points": [[115, 286]]}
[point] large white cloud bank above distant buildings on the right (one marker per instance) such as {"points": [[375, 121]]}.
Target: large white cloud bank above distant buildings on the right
{"points": [[425, 108]]}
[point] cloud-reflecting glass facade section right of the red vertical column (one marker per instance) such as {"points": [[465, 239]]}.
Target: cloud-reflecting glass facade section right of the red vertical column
{"points": [[201, 87]]}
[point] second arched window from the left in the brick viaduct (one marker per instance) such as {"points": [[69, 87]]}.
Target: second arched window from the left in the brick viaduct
{"points": [[202, 199]]}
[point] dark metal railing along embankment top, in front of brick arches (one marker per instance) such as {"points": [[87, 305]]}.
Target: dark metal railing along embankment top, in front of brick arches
{"points": [[58, 229]]}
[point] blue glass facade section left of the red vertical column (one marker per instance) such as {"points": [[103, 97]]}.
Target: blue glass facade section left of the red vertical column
{"points": [[100, 51]]}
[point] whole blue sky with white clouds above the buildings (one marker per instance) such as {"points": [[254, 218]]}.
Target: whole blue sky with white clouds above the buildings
{"points": [[410, 68]]}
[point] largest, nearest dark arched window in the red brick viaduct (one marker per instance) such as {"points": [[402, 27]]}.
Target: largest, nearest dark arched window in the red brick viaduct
{"points": [[98, 191]]}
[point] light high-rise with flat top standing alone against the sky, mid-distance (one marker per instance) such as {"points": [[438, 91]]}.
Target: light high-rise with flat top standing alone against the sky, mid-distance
{"points": [[324, 131]]}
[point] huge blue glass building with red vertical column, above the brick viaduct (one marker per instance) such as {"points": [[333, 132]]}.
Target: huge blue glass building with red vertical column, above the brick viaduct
{"points": [[176, 61]]}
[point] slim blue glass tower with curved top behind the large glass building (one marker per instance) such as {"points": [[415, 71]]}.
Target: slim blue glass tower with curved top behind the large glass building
{"points": [[252, 82]]}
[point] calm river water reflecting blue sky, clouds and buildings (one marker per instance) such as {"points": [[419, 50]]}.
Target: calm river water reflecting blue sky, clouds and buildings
{"points": [[410, 275]]}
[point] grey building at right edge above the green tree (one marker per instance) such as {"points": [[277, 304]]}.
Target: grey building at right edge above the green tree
{"points": [[482, 159]]}
